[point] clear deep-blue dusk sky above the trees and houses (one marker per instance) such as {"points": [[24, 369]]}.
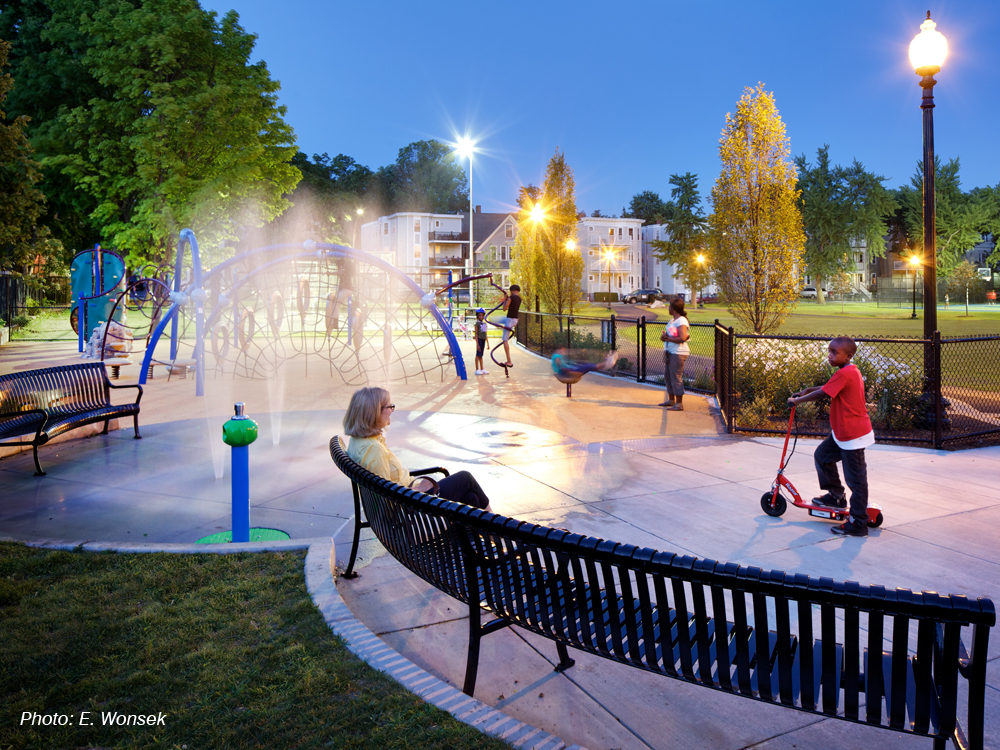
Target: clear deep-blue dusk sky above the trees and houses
{"points": [[632, 92]]}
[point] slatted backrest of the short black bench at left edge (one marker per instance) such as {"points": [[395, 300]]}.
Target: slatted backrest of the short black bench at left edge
{"points": [[57, 390]]}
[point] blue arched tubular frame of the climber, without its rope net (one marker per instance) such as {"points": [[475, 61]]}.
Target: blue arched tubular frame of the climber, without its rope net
{"points": [[195, 293]]}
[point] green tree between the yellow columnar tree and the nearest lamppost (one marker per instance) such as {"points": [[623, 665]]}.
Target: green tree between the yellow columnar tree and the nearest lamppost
{"points": [[840, 207]]}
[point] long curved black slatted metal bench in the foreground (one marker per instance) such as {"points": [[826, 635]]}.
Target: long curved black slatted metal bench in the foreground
{"points": [[888, 658]]}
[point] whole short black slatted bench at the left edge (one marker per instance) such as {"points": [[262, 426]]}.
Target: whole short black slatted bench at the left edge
{"points": [[55, 400]]}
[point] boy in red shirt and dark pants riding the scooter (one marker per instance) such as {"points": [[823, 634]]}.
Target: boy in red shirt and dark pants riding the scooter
{"points": [[851, 432]]}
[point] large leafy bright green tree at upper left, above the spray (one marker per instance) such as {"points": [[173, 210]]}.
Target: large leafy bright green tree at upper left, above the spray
{"points": [[186, 131]]}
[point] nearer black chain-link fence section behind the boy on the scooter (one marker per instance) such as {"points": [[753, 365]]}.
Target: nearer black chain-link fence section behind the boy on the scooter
{"points": [[941, 392]]}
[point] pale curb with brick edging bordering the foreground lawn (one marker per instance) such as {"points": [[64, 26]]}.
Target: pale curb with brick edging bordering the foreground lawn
{"points": [[362, 642]]}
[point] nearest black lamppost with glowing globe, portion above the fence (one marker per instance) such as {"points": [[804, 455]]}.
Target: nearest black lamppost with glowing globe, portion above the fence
{"points": [[927, 53]]}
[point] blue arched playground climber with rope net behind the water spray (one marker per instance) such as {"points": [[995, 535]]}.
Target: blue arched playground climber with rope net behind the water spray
{"points": [[351, 313]]}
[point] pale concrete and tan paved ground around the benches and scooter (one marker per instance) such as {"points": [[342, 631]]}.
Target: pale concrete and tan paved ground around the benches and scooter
{"points": [[608, 463]]}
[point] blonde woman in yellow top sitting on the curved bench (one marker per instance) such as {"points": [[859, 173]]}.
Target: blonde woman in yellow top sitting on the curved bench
{"points": [[368, 414]]}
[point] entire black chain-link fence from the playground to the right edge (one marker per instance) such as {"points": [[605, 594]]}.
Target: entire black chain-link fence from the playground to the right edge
{"points": [[942, 392]]}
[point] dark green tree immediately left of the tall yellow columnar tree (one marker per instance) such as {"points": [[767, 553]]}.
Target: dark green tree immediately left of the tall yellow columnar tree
{"points": [[684, 241]]}
